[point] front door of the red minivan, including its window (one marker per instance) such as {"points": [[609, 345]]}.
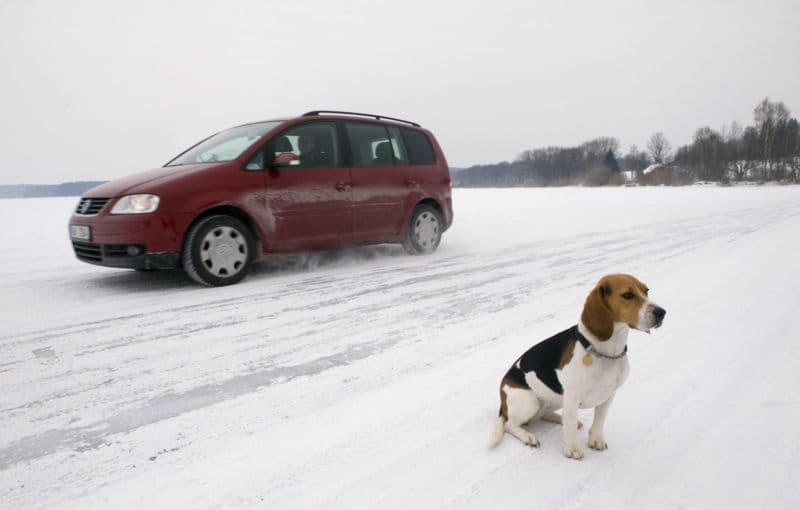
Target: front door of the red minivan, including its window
{"points": [[309, 201]]}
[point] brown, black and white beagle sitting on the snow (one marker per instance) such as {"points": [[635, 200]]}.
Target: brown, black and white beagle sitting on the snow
{"points": [[581, 367]]}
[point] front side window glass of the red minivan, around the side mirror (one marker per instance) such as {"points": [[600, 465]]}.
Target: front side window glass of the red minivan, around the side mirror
{"points": [[314, 144]]}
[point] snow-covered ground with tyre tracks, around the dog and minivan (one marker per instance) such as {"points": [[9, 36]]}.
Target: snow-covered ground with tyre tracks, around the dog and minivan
{"points": [[365, 378]]}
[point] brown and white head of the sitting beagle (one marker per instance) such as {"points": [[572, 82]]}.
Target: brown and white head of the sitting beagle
{"points": [[620, 298]]}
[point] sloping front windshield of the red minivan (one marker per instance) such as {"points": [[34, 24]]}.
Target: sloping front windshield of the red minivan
{"points": [[226, 145]]}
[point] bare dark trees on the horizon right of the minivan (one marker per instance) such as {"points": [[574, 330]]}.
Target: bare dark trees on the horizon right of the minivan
{"points": [[766, 150]]}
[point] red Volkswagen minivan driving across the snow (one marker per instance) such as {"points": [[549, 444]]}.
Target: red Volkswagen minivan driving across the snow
{"points": [[321, 180]]}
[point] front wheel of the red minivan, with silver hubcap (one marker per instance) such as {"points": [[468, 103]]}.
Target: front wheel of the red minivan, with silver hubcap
{"points": [[218, 251]]}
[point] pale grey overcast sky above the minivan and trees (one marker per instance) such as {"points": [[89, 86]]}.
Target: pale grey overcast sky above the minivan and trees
{"points": [[97, 89]]}
